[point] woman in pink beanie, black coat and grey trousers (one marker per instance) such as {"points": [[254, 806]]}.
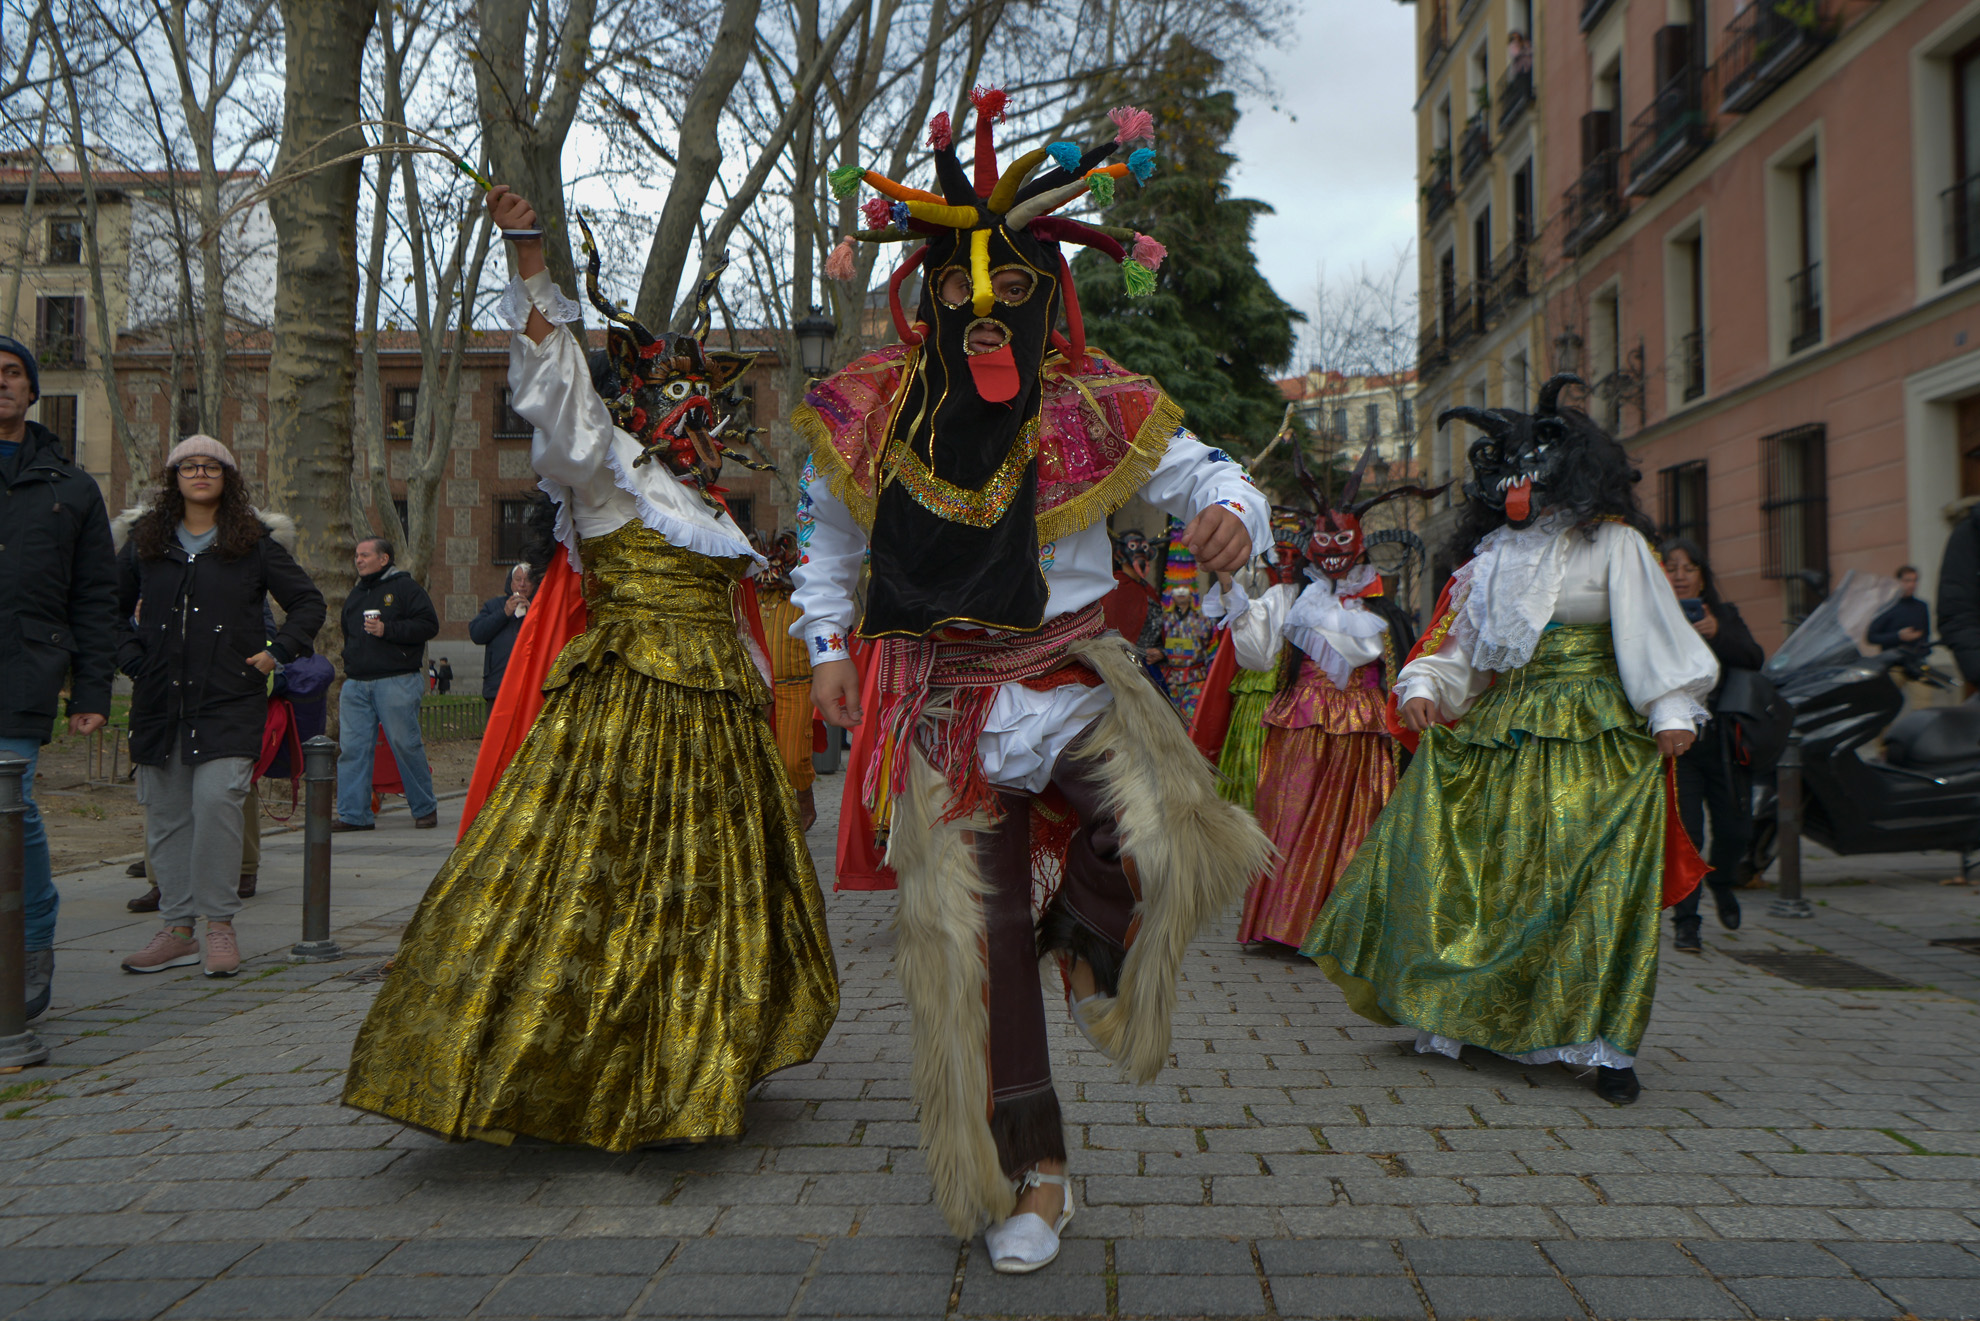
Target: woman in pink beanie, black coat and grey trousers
{"points": [[189, 601]]}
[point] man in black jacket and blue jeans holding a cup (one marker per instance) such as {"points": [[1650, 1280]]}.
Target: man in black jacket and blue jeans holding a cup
{"points": [[389, 621]]}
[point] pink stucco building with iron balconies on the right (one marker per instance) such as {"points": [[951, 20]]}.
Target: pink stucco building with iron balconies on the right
{"points": [[1757, 233]]}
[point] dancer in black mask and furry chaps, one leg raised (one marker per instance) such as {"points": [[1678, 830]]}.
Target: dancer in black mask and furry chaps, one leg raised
{"points": [[977, 462]]}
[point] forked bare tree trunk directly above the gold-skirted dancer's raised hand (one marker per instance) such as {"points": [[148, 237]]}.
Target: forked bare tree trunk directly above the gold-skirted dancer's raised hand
{"points": [[526, 128]]}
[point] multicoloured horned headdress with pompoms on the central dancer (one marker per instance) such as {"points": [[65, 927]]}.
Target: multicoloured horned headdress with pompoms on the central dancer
{"points": [[1007, 201]]}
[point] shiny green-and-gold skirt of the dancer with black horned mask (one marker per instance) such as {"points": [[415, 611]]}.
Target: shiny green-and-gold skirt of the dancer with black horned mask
{"points": [[1510, 894]]}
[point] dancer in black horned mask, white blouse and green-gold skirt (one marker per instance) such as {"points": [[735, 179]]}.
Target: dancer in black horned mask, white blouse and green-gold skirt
{"points": [[1510, 894]]}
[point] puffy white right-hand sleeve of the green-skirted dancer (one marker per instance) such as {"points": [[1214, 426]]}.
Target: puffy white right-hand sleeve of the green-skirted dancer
{"points": [[1666, 668]]}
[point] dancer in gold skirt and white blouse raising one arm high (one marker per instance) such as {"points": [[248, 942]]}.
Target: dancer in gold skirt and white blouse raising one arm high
{"points": [[631, 932]]}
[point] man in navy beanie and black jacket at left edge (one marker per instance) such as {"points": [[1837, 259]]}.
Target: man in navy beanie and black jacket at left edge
{"points": [[56, 621]]}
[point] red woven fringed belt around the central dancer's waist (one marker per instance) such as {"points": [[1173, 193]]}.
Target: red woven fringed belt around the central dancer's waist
{"points": [[967, 666]]}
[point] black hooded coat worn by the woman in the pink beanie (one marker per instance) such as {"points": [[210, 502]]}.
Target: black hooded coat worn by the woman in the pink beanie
{"points": [[199, 619]]}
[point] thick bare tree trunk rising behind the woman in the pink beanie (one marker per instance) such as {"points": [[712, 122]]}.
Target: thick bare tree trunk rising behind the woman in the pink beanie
{"points": [[316, 292]]}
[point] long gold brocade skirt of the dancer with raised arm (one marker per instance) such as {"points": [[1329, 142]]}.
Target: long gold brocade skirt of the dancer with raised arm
{"points": [[631, 934]]}
